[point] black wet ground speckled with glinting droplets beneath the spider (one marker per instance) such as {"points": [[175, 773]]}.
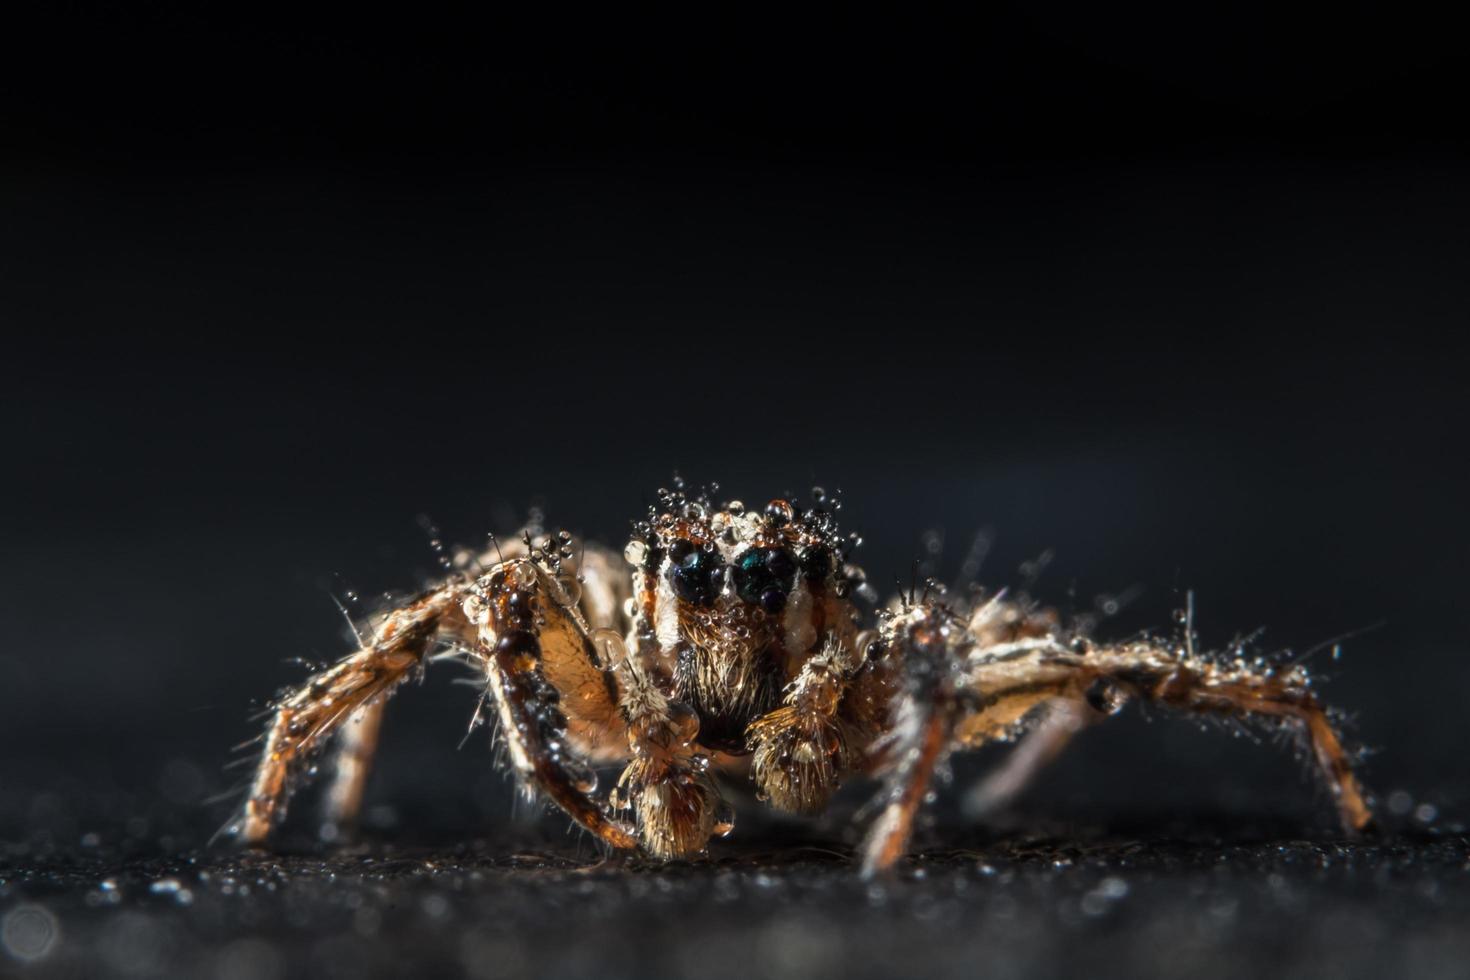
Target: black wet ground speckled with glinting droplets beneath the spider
{"points": [[1172, 901]]}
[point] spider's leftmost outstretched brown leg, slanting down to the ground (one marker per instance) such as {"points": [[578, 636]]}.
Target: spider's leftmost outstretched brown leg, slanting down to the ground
{"points": [[306, 719]]}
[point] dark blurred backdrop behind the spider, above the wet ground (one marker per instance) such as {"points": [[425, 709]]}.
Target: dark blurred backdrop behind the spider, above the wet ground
{"points": [[1172, 298]]}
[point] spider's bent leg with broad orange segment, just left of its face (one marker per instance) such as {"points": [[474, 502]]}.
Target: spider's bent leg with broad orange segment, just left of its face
{"points": [[555, 697]]}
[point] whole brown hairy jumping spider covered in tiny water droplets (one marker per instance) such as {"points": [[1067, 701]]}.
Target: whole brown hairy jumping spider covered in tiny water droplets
{"points": [[736, 647]]}
